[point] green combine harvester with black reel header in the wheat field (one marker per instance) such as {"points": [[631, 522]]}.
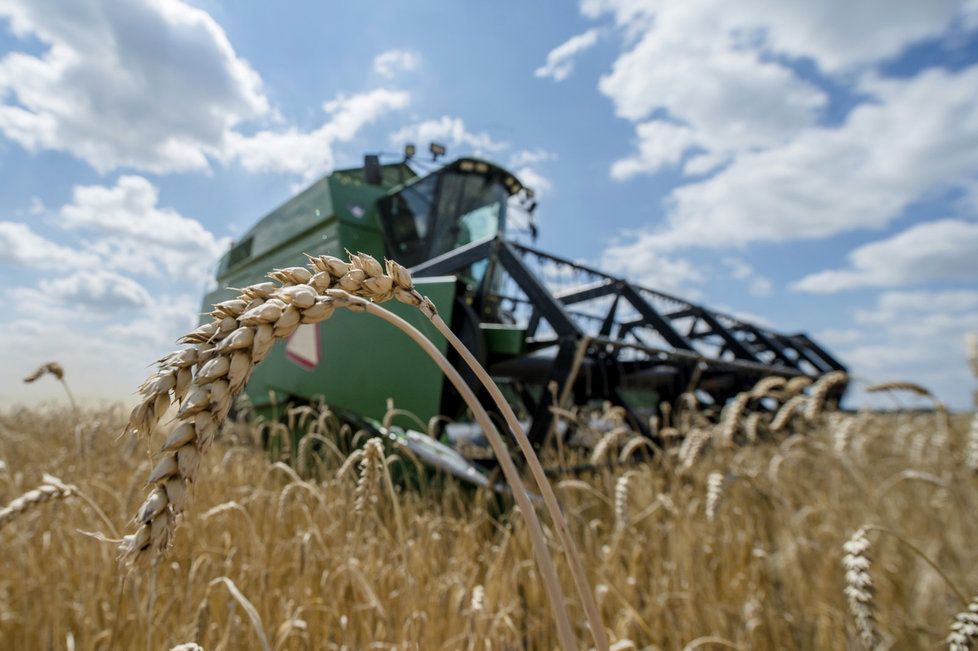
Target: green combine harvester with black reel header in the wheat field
{"points": [[549, 330]]}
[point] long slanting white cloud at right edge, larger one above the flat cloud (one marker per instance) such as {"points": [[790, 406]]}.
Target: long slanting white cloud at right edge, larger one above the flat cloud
{"points": [[827, 180]]}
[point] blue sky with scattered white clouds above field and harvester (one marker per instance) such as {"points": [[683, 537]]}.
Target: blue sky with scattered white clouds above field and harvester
{"points": [[812, 166]]}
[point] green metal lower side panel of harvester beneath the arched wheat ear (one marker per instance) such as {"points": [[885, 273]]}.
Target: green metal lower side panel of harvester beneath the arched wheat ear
{"points": [[364, 361]]}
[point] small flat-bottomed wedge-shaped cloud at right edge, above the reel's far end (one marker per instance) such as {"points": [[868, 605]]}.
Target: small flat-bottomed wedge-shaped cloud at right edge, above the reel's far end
{"points": [[946, 249]]}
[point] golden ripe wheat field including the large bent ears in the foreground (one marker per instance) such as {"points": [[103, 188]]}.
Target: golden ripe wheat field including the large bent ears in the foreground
{"points": [[778, 523]]}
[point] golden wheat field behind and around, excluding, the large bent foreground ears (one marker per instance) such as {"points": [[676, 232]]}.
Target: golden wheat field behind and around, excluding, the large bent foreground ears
{"points": [[709, 545]]}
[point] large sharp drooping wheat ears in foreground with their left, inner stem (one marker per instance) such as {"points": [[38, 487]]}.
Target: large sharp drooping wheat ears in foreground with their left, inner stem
{"points": [[227, 349]]}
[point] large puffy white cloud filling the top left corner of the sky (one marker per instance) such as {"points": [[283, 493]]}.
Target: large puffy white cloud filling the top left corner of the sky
{"points": [[153, 85]]}
